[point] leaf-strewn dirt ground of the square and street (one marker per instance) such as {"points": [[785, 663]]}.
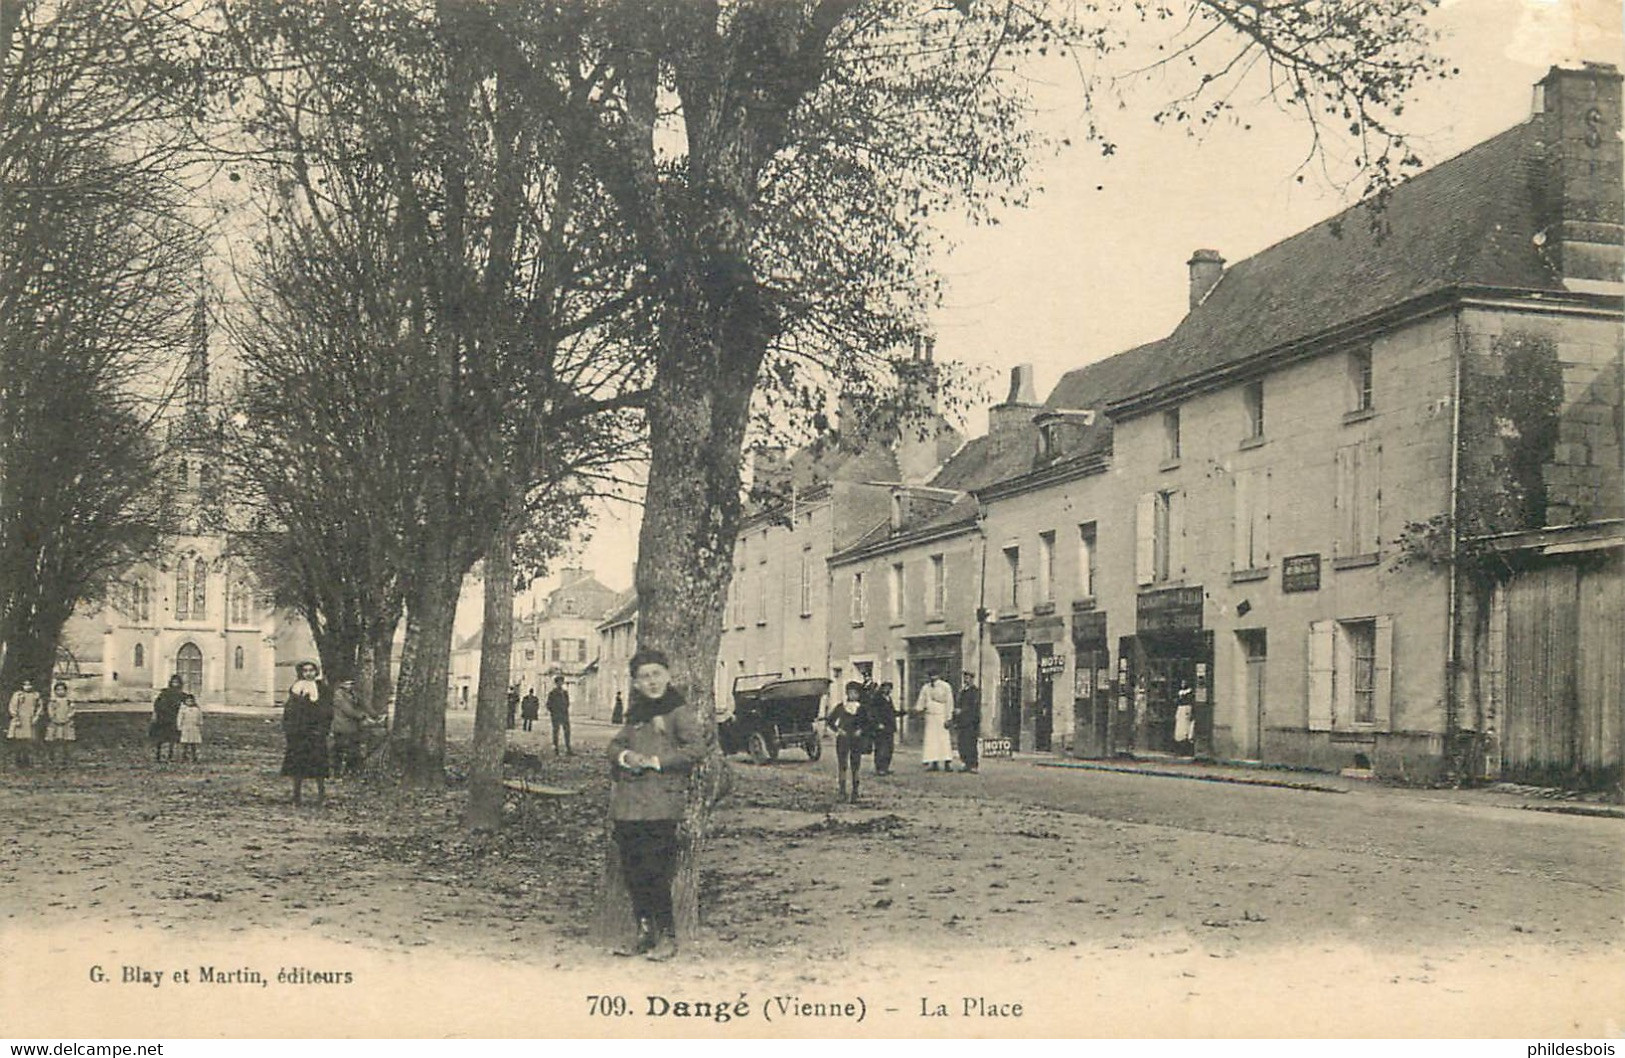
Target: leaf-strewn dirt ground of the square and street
{"points": [[1096, 904]]}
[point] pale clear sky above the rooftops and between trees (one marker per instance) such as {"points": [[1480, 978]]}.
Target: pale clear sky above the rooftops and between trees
{"points": [[1096, 262]]}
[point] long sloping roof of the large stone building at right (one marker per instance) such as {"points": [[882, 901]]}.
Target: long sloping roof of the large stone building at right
{"points": [[1468, 222]]}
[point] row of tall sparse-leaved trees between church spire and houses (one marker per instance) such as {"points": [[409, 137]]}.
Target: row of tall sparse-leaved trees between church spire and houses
{"points": [[508, 249]]}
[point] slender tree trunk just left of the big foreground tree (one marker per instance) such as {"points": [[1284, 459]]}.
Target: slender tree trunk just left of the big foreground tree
{"points": [[496, 646]]}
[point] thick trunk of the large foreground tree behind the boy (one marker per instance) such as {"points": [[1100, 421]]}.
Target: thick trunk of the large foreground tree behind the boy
{"points": [[713, 347]]}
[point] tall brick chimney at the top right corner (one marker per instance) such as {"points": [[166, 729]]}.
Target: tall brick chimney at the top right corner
{"points": [[1579, 150]]}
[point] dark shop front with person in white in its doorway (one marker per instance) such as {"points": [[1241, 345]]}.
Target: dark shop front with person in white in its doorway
{"points": [[1169, 670]]}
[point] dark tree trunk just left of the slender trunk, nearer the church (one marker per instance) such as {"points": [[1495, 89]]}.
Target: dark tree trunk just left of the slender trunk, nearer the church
{"points": [[418, 734]]}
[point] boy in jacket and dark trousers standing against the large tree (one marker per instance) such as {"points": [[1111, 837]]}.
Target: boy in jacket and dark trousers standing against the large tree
{"points": [[649, 792]]}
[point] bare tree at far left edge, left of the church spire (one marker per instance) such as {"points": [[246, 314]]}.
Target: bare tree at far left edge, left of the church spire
{"points": [[98, 267]]}
